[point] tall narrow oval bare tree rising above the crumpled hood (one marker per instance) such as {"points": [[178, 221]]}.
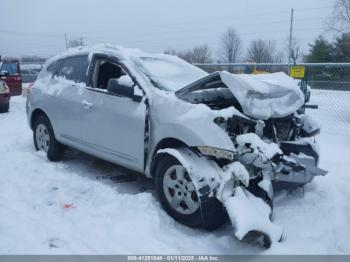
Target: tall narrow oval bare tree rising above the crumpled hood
{"points": [[230, 46]]}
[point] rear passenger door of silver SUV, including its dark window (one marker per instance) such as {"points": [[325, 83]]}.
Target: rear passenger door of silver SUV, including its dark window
{"points": [[68, 93]]}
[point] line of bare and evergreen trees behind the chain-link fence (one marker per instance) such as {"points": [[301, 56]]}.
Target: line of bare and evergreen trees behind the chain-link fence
{"points": [[266, 51]]}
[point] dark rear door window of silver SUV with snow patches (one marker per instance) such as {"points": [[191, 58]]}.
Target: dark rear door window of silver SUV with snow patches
{"points": [[74, 68]]}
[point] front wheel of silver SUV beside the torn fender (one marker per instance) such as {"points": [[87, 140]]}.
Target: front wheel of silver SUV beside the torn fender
{"points": [[206, 212]]}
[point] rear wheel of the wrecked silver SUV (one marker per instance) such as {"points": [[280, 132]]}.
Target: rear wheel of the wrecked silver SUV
{"points": [[44, 139]]}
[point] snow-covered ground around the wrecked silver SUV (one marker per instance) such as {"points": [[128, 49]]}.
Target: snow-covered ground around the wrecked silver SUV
{"points": [[80, 206]]}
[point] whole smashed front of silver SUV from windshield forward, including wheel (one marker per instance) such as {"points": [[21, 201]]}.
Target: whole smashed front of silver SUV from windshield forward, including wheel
{"points": [[239, 137]]}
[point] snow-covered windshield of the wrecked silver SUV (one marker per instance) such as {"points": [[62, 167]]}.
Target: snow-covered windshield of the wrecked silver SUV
{"points": [[169, 72]]}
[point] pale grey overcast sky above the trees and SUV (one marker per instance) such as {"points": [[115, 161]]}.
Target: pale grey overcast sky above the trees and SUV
{"points": [[37, 27]]}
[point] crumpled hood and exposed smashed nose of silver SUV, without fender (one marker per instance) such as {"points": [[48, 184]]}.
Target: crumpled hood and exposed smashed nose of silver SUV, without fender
{"points": [[295, 158]]}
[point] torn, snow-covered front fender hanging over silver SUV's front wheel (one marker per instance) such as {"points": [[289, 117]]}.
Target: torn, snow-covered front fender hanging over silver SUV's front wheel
{"points": [[249, 214]]}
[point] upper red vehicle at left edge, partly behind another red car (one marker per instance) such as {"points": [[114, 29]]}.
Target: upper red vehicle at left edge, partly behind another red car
{"points": [[11, 74]]}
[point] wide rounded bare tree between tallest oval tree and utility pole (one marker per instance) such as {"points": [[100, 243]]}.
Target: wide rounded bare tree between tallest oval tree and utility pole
{"points": [[262, 51]]}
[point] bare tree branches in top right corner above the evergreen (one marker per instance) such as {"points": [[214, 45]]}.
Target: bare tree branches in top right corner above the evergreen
{"points": [[339, 21]]}
